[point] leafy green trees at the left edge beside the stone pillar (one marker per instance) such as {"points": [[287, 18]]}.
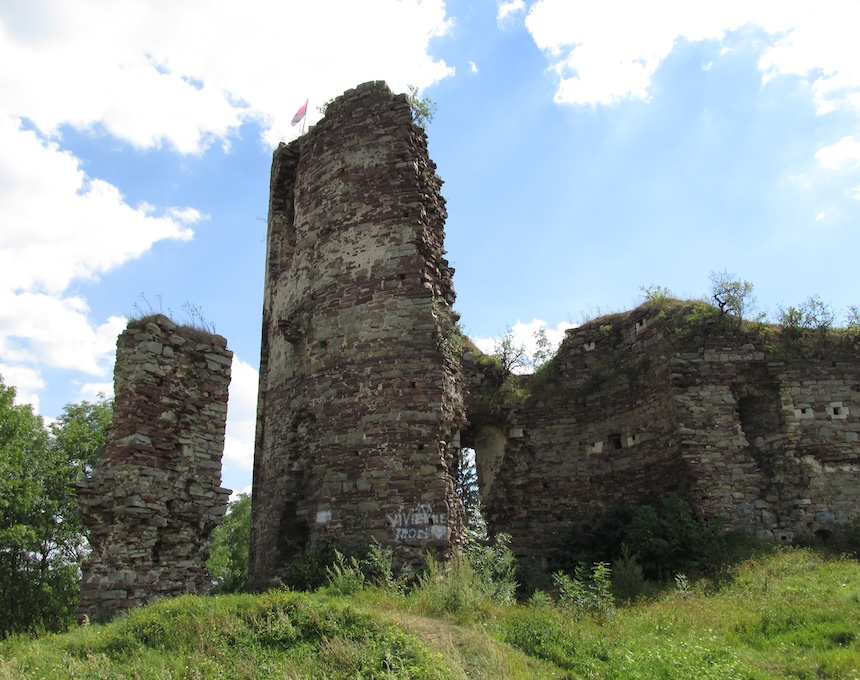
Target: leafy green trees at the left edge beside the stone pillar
{"points": [[41, 538]]}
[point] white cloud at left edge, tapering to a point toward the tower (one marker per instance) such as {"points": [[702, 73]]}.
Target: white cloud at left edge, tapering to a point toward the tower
{"points": [[58, 224]]}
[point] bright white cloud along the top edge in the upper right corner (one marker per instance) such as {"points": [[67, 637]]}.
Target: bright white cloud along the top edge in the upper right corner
{"points": [[605, 52]]}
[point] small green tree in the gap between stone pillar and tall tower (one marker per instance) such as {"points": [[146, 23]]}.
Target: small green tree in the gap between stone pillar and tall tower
{"points": [[228, 559]]}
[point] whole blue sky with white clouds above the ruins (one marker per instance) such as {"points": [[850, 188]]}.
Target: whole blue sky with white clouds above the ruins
{"points": [[587, 149]]}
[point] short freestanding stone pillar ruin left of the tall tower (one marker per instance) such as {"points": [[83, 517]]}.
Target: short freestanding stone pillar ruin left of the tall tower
{"points": [[154, 498]]}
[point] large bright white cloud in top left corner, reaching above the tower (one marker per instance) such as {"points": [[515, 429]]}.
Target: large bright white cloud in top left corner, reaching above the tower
{"points": [[188, 73]]}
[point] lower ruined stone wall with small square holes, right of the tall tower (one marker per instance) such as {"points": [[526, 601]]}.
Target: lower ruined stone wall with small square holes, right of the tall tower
{"points": [[631, 409]]}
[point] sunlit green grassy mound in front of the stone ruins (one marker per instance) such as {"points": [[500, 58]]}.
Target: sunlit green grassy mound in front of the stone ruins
{"points": [[793, 613]]}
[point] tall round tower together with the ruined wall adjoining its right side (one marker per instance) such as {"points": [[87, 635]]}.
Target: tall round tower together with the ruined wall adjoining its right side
{"points": [[367, 392]]}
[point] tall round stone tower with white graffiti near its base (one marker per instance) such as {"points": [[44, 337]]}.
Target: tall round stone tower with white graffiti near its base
{"points": [[360, 390]]}
